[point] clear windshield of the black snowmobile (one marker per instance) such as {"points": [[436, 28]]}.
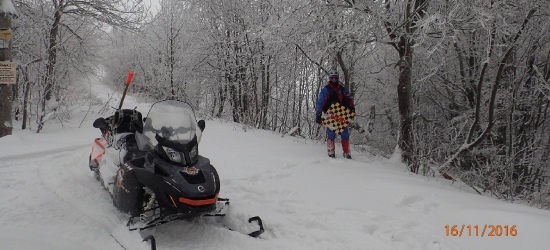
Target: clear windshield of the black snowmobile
{"points": [[172, 120]]}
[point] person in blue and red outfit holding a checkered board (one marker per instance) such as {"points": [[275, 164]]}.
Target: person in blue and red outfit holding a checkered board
{"points": [[331, 93]]}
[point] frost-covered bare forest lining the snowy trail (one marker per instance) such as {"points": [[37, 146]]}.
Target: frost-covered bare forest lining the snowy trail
{"points": [[458, 88]]}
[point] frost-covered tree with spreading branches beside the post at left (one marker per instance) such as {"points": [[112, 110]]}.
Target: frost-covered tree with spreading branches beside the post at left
{"points": [[63, 23]]}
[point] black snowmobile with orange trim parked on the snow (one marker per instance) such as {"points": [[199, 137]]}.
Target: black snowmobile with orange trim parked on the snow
{"points": [[152, 167]]}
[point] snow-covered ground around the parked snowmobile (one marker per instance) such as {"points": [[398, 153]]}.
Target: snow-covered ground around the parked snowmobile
{"points": [[50, 200]]}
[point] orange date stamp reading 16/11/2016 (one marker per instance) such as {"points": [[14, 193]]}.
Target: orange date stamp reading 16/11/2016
{"points": [[486, 230]]}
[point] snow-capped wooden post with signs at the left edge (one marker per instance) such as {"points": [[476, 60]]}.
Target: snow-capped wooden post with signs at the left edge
{"points": [[7, 68]]}
